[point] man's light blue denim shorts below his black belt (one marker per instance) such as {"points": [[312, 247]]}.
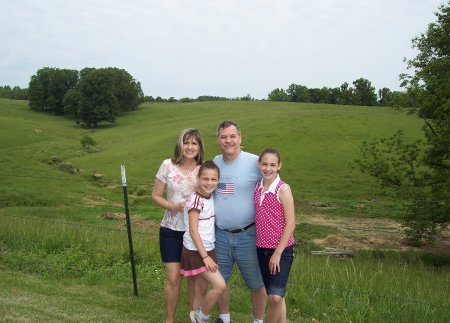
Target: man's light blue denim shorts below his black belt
{"points": [[239, 248]]}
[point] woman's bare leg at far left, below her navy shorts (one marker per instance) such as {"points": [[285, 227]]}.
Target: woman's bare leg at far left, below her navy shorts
{"points": [[172, 289]]}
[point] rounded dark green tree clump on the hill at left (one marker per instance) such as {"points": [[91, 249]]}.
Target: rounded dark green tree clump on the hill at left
{"points": [[91, 95]]}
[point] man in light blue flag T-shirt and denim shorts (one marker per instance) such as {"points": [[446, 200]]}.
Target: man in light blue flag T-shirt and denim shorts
{"points": [[235, 219]]}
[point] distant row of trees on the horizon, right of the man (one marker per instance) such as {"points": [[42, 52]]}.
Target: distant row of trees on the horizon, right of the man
{"points": [[361, 93]]}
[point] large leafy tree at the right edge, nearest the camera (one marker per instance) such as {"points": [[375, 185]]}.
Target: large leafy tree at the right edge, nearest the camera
{"points": [[421, 171]]}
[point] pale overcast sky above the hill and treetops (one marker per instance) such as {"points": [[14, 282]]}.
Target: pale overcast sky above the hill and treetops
{"points": [[225, 48]]}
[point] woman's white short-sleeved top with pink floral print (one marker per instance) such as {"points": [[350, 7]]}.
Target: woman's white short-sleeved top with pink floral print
{"points": [[178, 188]]}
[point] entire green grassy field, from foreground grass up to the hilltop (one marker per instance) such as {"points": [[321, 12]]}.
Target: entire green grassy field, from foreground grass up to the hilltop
{"points": [[61, 261]]}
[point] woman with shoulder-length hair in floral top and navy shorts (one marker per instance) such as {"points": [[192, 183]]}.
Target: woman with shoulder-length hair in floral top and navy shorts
{"points": [[175, 180]]}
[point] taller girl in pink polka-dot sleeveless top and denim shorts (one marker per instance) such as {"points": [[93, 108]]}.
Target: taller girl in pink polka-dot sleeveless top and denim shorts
{"points": [[275, 225]]}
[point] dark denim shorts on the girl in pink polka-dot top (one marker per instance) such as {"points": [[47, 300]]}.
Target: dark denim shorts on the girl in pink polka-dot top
{"points": [[275, 284]]}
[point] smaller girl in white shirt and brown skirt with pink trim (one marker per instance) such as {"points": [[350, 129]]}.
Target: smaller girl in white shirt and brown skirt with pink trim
{"points": [[198, 258]]}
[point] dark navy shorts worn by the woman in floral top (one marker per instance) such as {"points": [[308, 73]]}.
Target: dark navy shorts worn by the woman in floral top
{"points": [[170, 244]]}
